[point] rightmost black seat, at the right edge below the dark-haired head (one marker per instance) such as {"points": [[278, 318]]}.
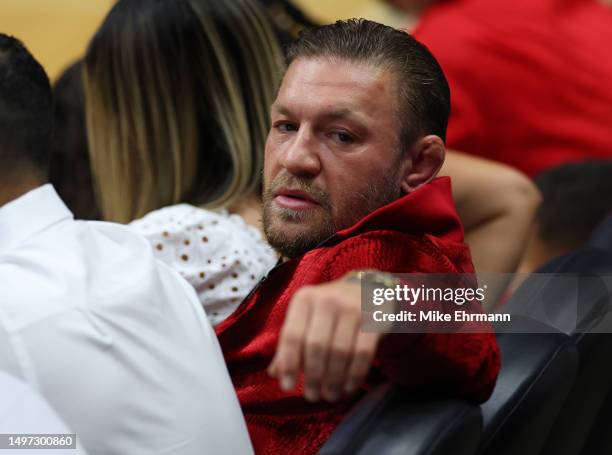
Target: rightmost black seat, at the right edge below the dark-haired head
{"points": [[579, 304]]}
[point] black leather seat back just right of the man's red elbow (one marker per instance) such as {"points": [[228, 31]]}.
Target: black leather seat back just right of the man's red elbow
{"points": [[538, 371]]}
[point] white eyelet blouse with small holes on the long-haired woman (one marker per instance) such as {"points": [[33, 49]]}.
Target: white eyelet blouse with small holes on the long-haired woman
{"points": [[220, 255]]}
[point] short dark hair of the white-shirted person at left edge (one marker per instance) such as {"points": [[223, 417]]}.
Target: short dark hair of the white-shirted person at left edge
{"points": [[26, 118]]}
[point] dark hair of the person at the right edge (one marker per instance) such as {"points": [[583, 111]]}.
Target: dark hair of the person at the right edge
{"points": [[576, 197]]}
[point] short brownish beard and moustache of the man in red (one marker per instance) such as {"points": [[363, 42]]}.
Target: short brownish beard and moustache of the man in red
{"points": [[358, 206]]}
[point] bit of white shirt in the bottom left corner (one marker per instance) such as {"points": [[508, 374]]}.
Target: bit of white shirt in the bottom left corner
{"points": [[23, 411]]}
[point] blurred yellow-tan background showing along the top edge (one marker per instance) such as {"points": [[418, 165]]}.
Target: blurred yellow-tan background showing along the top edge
{"points": [[57, 31]]}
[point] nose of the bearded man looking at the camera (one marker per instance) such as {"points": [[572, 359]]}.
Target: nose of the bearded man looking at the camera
{"points": [[301, 157]]}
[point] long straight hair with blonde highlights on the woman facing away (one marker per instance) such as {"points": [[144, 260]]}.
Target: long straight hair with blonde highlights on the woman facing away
{"points": [[177, 103]]}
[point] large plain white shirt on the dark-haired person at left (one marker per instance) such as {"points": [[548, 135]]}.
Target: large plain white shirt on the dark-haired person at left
{"points": [[115, 340]]}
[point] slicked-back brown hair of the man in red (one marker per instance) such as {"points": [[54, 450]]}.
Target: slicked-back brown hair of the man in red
{"points": [[423, 90]]}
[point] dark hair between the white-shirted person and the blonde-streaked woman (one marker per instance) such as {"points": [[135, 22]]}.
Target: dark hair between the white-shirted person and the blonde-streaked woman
{"points": [[70, 171]]}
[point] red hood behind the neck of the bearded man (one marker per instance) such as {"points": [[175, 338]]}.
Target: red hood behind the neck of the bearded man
{"points": [[430, 209]]}
